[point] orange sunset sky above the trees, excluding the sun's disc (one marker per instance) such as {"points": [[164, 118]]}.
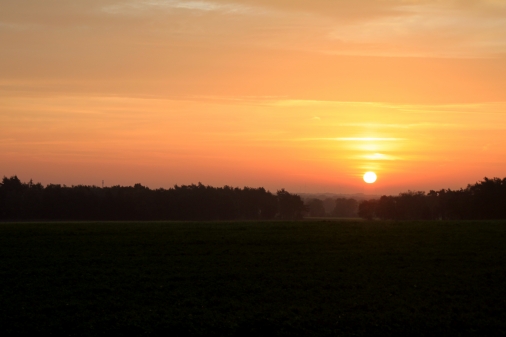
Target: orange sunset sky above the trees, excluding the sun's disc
{"points": [[301, 95]]}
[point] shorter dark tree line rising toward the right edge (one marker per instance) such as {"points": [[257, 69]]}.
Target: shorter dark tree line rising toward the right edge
{"points": [[484, 200]]}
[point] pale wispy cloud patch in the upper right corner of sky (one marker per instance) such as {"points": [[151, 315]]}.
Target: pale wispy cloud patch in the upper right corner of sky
{"points": [[443, 29]]}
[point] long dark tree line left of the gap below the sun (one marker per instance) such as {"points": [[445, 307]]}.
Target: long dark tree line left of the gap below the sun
{"points": [[33, 201]]}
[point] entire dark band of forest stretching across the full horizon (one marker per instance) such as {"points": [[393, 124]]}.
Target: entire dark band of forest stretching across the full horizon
{"points": [[32, 201]]}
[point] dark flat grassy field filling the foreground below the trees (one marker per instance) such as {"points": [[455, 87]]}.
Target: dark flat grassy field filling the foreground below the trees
{"points": [[253, 279]]}
